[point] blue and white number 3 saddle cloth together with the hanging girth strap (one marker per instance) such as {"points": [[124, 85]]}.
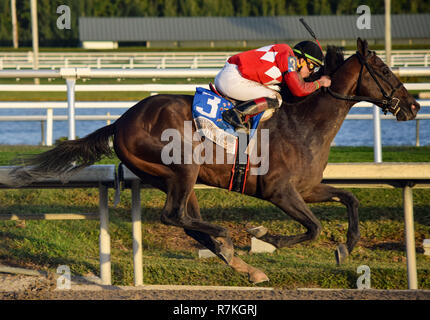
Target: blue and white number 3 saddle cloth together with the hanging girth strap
{"points": [[207, 112]]}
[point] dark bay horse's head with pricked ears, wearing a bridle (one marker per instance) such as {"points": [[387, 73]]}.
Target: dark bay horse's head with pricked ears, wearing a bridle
{"points": [[378, 82]]}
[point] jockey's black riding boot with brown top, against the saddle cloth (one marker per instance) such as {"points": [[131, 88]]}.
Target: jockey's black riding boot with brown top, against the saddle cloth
{"points": [[239, 115]]}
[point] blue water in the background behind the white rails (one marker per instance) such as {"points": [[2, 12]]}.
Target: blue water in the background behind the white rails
{"points": [[352, 132]]}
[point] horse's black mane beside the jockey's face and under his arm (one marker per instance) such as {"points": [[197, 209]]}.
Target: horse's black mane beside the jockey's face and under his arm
{"points": [[334, 58]]}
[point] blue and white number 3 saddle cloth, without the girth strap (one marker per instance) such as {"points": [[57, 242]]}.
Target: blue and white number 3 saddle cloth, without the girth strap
{"points": [[207, 112]]}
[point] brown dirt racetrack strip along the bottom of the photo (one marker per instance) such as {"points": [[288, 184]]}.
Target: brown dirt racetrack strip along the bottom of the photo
{"points": [[19, 287]]}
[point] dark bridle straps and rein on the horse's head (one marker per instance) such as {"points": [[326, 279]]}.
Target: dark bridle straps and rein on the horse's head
{"points": [[389, 103]]}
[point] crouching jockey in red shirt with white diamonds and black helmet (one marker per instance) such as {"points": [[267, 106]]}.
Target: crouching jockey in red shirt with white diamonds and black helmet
{"points": [[255, 75]]}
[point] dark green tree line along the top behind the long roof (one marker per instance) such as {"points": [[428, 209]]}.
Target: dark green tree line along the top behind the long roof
{"points": [[50, 35]]}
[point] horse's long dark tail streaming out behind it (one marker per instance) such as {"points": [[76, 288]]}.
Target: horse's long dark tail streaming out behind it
{"points": [[65, 159]]}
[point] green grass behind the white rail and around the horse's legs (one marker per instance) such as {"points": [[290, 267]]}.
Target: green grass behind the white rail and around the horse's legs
{"points": [[170, 257]]}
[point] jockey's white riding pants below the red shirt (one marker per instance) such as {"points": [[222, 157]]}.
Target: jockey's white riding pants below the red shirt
{"points": [[230, 82]]}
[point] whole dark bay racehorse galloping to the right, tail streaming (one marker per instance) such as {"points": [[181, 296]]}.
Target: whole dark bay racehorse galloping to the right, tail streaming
{"points": [[300, 135]]}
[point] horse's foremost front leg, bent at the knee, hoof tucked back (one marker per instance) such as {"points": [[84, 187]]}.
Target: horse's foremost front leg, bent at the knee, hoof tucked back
{"points": [[323, 193]]}
